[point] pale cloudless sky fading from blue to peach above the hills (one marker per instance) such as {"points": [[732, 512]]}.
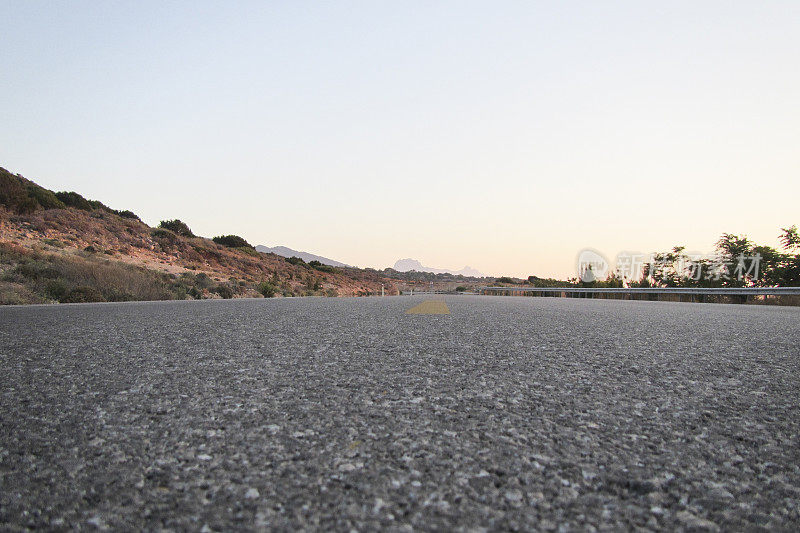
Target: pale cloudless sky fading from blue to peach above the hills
{"points": [[502, 135]]}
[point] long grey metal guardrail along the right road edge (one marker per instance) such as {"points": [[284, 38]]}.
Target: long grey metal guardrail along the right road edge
{"points": [[742, 291]]}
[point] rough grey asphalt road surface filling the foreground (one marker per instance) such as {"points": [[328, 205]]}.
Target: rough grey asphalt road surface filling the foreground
{"points": [[507, 413]]}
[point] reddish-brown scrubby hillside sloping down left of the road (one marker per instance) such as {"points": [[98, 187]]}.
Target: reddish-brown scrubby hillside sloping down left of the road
{"points": [[61, 247]]}
